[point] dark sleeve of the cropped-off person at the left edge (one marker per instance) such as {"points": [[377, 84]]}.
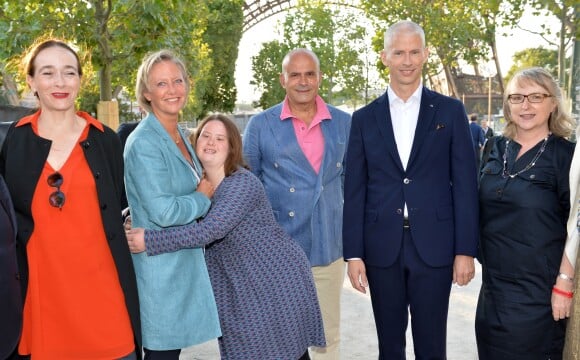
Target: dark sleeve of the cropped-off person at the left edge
{"points": [[10, 292]]}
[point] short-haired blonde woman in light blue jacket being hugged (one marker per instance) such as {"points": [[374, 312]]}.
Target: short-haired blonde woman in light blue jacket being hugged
{"points": [[165, 188]]}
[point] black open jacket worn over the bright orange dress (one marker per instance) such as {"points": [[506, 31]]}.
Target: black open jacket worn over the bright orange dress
{"points": [[21, 162]]}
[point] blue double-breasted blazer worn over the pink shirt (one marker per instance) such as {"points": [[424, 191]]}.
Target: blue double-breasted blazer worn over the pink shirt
{"points": [[306, 204]]}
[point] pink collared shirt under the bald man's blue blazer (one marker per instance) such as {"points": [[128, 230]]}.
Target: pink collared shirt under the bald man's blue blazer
{"points": [[310, 139]]}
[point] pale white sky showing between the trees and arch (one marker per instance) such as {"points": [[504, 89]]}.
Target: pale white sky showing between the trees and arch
{"points": [[252, 41]]}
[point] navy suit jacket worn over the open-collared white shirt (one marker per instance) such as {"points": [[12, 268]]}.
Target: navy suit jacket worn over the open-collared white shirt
{"points": [[439, 185]]}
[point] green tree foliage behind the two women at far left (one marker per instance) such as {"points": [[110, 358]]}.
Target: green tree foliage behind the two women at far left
{"points": [[114, 36]]}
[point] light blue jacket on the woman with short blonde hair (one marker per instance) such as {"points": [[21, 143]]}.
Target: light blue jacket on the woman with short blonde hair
{"points": [[177, 303]]}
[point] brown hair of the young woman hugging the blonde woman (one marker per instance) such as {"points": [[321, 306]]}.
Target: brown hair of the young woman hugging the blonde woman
{"points": [[235, 158]]}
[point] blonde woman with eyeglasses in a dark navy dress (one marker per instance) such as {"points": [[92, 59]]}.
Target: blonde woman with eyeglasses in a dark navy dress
{"points": [[527, 277]]}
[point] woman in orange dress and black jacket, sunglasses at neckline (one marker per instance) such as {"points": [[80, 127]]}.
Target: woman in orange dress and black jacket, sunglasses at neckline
{"points": [[64, 171]]}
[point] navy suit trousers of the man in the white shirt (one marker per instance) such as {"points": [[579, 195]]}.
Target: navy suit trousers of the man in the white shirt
{"points": [[410, 285]]}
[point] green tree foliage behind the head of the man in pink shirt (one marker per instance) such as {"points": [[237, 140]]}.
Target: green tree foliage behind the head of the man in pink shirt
{"points": [[337, 40]]}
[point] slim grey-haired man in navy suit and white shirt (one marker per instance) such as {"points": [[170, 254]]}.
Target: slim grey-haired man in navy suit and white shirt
{"points": [[410, 212]]}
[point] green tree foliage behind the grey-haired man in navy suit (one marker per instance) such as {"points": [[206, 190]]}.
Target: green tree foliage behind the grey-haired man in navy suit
{"points": [[455, 30]]}
